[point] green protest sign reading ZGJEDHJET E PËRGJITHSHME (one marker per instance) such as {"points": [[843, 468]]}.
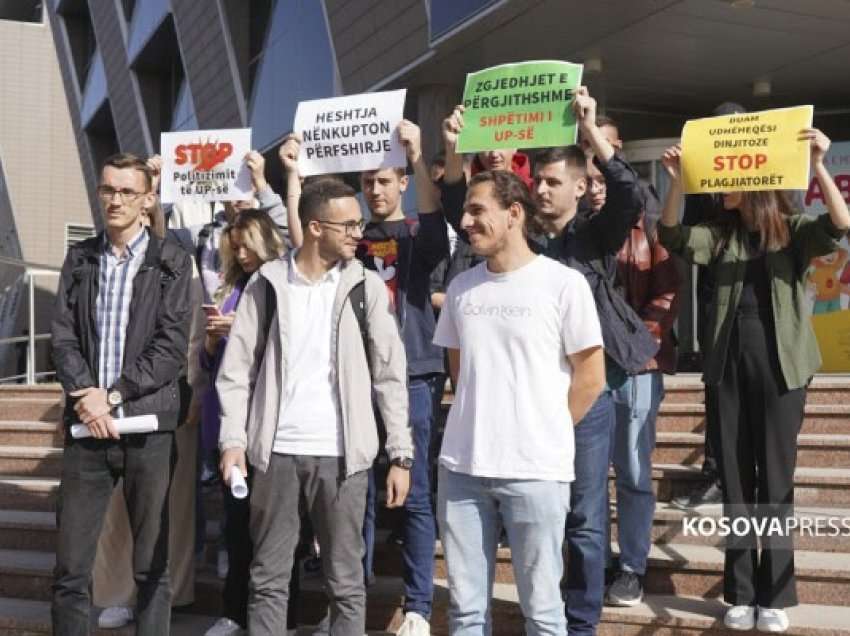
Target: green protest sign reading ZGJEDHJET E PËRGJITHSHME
{"points": [[525, 105]]}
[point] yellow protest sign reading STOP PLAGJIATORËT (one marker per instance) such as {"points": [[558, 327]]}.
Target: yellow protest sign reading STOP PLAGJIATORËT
{"points": [[747, 151]]}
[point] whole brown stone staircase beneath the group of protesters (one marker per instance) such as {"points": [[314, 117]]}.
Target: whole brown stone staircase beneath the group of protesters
{"points": [[683, 583]]}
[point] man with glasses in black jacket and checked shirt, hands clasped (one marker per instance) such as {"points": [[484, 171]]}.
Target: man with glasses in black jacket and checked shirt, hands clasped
{"points": [[120, 336]]}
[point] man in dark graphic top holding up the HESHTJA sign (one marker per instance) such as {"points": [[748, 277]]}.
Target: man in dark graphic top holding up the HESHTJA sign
{"points": [[404, 251]]}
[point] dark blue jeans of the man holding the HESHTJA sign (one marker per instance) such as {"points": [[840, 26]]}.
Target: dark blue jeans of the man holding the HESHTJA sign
{"points": [[420, 532]]}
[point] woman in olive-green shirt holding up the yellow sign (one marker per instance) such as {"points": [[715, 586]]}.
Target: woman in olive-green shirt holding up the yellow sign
{"points": [[762, 356]]}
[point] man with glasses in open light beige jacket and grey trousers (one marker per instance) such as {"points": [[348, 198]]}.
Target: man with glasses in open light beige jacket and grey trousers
{"points": [[296, 386]]}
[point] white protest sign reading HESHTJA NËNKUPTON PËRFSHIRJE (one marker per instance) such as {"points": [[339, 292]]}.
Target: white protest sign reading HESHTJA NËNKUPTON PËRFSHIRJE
{"points": [[351, 133]]}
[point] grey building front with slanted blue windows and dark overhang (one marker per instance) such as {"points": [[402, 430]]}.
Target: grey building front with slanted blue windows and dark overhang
{"points": [[133, 69]]}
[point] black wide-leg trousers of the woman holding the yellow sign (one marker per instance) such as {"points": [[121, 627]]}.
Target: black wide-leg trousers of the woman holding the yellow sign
{"points": [[756, 437]]}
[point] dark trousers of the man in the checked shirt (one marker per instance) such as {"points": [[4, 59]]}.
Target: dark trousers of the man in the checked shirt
{"points": [[90, 468]]}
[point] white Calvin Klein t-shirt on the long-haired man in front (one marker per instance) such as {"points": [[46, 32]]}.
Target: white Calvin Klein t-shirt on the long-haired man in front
{"points": [[510, 418]]}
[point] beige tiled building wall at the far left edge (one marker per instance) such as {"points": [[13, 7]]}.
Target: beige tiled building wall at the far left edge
{"points": [[43, 201]]}
